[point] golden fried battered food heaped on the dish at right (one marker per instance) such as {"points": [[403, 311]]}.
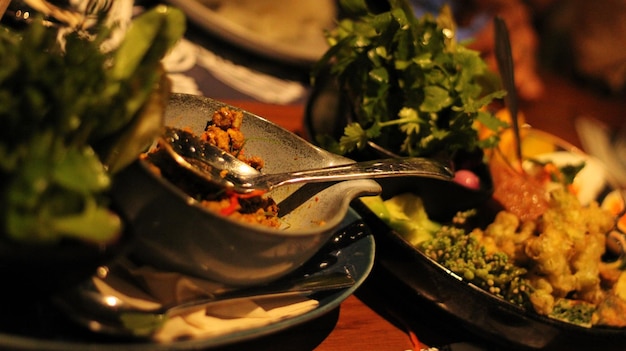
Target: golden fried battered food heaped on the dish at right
{"points": [[562, 250]]}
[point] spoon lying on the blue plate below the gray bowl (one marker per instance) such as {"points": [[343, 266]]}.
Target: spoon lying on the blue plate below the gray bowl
{"points": [[112, 315]]}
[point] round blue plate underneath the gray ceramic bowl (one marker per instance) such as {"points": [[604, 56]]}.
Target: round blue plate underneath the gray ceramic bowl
{"points": [[39, 326]]}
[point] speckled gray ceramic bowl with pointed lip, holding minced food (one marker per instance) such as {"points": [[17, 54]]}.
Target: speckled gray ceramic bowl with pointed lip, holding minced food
{"points": [[175, 233]]}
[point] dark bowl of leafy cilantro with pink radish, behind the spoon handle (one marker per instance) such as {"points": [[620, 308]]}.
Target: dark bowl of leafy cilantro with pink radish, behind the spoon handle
{"points": [[394, 84]]}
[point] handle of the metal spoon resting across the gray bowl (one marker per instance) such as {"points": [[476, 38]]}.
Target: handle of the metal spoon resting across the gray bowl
{"points": [[392, 167]]}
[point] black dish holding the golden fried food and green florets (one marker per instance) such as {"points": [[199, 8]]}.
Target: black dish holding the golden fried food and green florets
{"points": [[490, 317]]}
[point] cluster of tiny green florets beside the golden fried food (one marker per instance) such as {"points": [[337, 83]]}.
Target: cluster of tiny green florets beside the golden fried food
{"points": [[464, 255]]}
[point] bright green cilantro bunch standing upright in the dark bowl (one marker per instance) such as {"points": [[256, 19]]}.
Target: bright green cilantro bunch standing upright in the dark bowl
{"points": [[412, 87]]}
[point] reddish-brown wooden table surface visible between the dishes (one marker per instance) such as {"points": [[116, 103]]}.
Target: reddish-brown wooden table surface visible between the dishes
{"points": [[376, 318]]}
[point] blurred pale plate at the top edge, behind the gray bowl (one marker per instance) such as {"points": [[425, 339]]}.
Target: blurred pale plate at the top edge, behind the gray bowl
{"points": [[287, 31]]}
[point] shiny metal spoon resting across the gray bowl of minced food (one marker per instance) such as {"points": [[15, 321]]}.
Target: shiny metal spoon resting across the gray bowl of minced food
{"points": [[225, 170]]}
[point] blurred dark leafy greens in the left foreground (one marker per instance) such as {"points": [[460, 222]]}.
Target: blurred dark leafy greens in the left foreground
{"points": [[72, 116]]}
